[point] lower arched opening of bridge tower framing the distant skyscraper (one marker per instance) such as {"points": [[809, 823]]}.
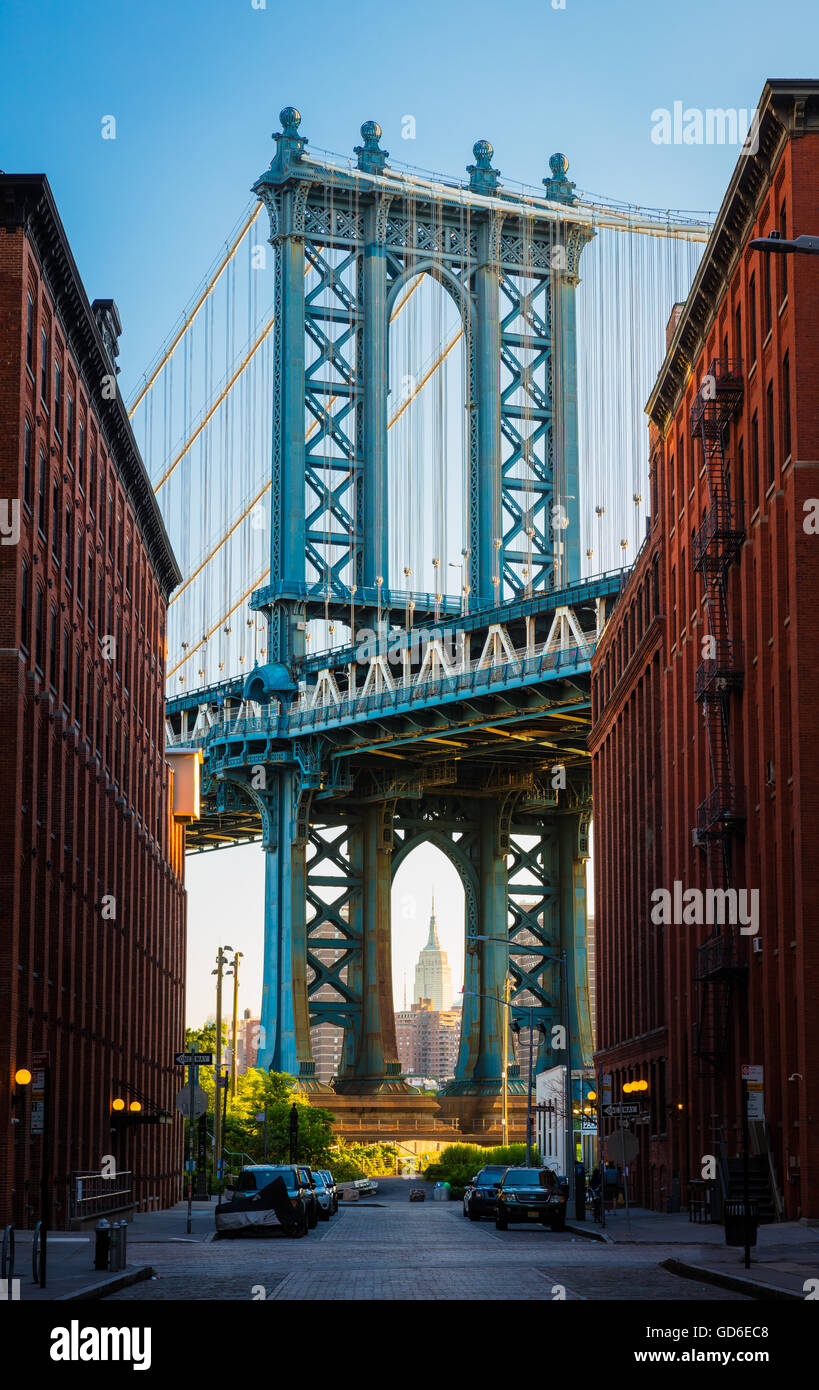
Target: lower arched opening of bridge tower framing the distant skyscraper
{"points": [[429, 914]]}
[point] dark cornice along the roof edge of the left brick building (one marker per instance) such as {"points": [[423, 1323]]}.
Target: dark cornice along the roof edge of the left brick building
{"points": [[27, 204]]}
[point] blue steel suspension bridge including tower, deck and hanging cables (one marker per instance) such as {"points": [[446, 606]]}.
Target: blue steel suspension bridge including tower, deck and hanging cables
{"points": [[391, 600]]}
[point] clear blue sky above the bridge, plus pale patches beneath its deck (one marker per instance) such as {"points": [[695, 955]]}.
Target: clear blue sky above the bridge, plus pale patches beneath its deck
{"points": [[197, 88]]}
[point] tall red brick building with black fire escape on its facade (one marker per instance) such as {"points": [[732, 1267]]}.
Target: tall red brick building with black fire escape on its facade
{"points": [[707, 723]]}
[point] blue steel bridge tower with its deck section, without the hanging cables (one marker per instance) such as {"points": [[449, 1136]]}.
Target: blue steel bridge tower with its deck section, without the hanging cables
{"points": [[472, 735]]}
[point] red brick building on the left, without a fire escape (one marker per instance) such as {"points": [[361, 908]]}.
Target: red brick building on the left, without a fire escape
{"points": [[92, 936]]}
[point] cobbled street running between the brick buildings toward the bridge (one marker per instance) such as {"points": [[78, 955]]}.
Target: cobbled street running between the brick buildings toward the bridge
{"points": [[404, 1250]]}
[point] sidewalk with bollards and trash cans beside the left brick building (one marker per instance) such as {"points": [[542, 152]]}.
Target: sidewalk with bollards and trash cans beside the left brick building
{"points": [[70, 1254]]}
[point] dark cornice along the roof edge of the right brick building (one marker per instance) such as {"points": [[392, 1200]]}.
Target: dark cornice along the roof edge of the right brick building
{"points": [[788, 109]]}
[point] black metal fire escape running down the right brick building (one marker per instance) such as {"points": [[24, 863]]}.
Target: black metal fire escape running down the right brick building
{"points": [[721, 967]]}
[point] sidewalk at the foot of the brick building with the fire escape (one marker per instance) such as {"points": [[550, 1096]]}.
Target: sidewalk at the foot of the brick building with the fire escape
{"points": [[786, 1254]]}
